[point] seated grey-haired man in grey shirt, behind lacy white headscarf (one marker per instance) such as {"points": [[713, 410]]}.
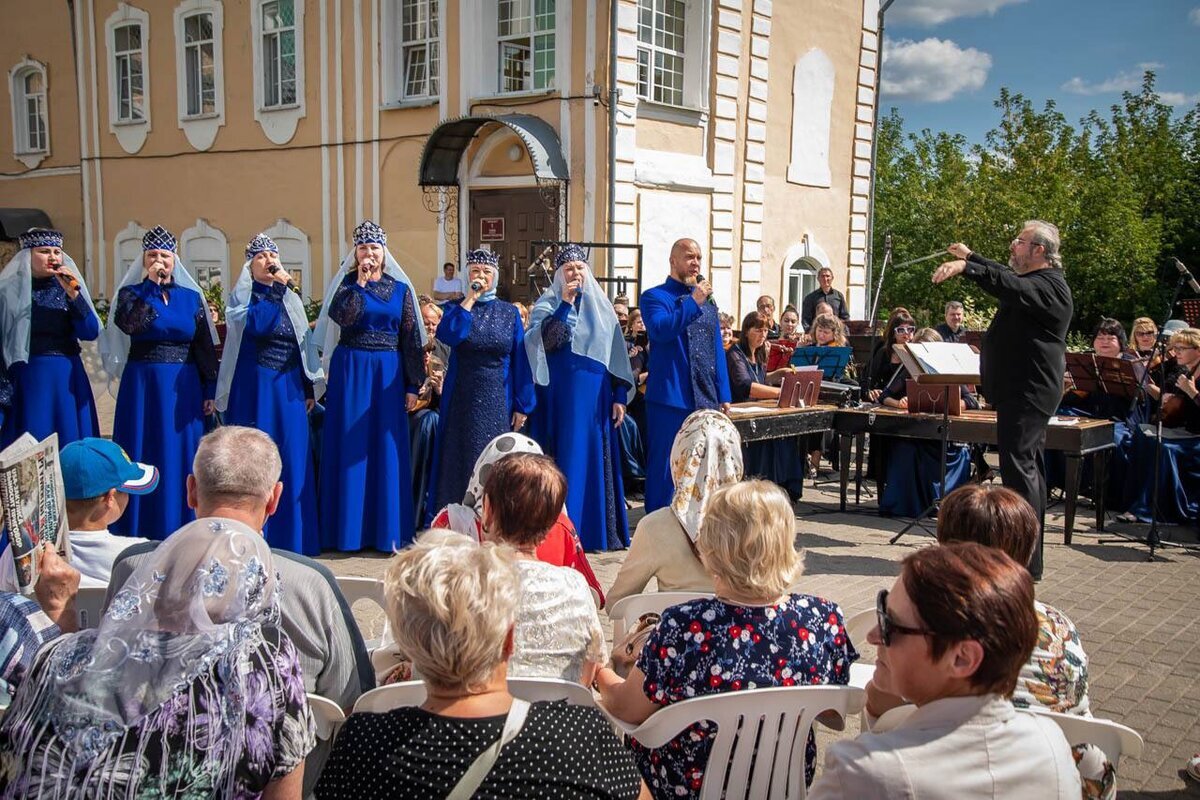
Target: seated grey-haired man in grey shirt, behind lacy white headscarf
{"points": [[236, 476]]}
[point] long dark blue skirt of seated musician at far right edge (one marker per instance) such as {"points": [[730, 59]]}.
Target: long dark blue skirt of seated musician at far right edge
{"points": [[1179, 482]]}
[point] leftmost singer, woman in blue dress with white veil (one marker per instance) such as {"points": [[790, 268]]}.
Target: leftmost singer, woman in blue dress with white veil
{"points": [[45, 314]]}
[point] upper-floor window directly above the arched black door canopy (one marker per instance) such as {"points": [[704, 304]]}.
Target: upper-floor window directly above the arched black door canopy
{"points": [[526, 35]]}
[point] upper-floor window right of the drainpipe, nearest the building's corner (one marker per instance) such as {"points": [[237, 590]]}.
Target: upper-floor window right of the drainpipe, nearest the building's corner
{"points": [[661, 51]]}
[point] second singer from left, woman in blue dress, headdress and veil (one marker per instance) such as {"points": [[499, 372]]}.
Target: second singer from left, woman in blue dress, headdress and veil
{"points": [[161, 345]]}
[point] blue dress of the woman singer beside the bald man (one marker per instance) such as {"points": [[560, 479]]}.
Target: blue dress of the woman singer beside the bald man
{"points": [[580, 435]]}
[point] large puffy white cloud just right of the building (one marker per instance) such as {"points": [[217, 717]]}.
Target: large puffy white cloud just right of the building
{"points": [[932, 70]]}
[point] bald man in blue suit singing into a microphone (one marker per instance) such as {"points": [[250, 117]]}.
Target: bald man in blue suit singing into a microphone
{"points": [[687, 363]]}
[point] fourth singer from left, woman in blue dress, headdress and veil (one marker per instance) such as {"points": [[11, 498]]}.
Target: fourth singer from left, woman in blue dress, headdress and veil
{"points": [[375, 362]]}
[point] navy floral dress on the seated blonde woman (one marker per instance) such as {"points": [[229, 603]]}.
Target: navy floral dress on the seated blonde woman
{"points": [[709, 647]]}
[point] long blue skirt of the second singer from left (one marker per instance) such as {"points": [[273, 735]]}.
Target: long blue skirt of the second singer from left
{"points": [[160, 420]]}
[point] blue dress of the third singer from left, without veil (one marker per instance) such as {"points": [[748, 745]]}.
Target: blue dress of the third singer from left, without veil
{"points": [[268, 393]]}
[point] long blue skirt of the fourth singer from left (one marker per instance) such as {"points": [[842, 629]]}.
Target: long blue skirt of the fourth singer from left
{"points": [[365, 476]]}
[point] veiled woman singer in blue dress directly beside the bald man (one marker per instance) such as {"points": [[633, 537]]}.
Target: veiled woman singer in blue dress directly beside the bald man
{"points": [[578, 352]]}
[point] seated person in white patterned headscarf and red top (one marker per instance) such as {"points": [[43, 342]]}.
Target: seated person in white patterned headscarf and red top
{"points": [[561, 546]]}
